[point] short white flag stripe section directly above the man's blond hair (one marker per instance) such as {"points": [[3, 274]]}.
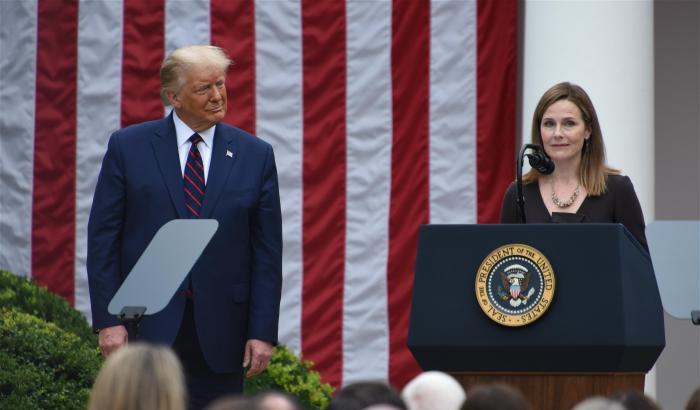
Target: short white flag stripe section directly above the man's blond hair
{"points": [[186, 23]]}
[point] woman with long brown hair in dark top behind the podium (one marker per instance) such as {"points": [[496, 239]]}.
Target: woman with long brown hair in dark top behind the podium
{"points": [[582, 187]]}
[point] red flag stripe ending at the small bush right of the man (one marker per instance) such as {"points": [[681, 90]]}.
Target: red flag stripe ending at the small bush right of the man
{"points": [[324, 169]]}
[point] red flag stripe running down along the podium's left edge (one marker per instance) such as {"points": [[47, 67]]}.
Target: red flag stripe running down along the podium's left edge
{"points": [[410, 61]]}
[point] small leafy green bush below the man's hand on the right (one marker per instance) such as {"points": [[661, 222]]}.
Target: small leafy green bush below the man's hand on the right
{"points": [[286, 372]]}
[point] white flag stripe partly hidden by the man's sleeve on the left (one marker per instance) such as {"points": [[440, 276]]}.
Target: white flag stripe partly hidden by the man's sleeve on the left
{"points": [[98, 115]]}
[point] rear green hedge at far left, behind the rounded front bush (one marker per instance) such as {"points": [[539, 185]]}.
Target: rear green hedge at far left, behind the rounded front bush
{"points": [[26, 296]]}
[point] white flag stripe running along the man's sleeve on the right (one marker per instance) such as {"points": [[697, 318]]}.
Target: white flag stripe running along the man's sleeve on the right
{"points": [[279, 121]]}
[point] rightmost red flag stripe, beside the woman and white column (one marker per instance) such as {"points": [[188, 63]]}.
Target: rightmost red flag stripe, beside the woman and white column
{"points": [[496, 78]]}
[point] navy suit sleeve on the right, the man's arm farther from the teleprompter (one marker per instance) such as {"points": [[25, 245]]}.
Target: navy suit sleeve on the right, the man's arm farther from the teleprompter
{"points": [[266, 241]]}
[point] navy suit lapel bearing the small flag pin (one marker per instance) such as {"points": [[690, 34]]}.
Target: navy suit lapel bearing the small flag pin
{"points": [[223, 156]]}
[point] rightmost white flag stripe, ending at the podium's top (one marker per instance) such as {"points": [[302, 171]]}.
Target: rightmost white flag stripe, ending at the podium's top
{"points": [[453, 112]]}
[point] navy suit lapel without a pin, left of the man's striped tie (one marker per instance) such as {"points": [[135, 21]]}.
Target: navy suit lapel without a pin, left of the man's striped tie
{"points": [[165, 148]]}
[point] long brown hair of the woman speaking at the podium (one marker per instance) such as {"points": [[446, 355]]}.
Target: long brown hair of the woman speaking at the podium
{"points": [[593, 170]]}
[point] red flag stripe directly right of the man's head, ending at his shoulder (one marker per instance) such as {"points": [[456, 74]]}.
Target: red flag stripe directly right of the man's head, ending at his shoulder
{"points": [[233, 29]]}
